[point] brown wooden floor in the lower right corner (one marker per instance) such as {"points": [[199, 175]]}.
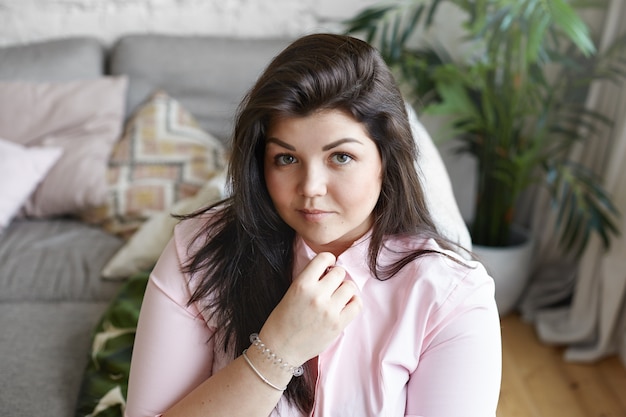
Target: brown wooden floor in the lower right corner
{"points": [[537, 382]]}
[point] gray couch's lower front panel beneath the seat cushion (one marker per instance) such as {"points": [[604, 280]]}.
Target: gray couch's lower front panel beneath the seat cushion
{"points": [[43, 353]]}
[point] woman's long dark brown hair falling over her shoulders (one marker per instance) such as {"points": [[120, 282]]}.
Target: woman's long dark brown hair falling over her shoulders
{"points": [[245, 266]]}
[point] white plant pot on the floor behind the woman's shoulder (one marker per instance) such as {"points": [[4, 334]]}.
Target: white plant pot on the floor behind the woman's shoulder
{"points": [[509, 267]]}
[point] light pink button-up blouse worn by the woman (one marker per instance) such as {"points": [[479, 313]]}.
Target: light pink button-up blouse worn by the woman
{"points": [[427, 342]]}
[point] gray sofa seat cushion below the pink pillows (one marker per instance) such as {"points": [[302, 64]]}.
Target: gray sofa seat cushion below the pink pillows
{"points": [[53, 260]]}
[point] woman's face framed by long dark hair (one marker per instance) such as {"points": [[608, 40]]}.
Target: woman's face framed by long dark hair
{"points": [[324, 176]]}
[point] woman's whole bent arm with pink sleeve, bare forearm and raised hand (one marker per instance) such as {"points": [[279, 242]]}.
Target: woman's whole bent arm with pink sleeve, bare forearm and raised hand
{"points": [[174, 368]]}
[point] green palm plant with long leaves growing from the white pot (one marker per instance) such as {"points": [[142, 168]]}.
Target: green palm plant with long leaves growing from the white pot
{"points": [[514, 100]]}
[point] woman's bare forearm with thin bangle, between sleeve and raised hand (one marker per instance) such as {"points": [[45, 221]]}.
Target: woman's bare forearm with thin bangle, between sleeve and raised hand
{"points": [[236, 390]]}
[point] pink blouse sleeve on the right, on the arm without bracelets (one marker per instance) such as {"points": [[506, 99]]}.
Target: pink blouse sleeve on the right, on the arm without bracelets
{"points": [[459, 373]]}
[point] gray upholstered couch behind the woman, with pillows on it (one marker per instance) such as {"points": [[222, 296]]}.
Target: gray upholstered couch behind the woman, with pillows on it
{"points": [[51, 293]]}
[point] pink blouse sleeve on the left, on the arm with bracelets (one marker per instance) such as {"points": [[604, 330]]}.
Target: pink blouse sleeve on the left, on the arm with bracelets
{"points": [[173, 350]]}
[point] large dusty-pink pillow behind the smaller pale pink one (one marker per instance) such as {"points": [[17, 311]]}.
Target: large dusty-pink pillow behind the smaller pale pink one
{"points": [[83, 118]]}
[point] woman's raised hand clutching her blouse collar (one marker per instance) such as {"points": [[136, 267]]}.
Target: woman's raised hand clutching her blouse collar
{"points": [[318, 305]]}
